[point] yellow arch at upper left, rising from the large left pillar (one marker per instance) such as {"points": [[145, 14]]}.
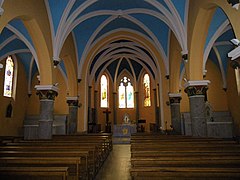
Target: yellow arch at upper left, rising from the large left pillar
{"points": [[35, 22]]}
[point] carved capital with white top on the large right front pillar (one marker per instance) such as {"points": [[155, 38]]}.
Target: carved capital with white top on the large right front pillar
{"points": [[193, 88]]}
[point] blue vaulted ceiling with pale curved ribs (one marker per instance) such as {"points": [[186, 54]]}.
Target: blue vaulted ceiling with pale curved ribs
{"points": [[89, 21]]}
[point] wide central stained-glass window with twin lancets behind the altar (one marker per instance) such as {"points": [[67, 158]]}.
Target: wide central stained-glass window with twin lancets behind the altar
{"points": [[125, 93]]}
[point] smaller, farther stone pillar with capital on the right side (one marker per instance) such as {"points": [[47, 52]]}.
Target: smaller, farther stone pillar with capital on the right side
{"points": [[174, 100]]}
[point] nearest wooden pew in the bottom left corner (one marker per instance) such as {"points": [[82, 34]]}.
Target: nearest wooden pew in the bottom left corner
{"points": [[38, 173]]}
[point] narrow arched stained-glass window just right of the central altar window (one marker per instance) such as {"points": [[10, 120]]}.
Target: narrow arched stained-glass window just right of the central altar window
{"points": [[146, 92]]}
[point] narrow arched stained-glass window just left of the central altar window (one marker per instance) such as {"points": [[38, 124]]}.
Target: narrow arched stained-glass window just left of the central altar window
{"points": [[104, 91]]}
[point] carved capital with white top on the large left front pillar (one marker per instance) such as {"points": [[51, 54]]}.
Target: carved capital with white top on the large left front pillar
{"points": [[46, 91]]}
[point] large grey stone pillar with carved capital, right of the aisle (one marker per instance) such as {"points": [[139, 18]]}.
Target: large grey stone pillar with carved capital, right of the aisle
{"points": [[196, 91]]}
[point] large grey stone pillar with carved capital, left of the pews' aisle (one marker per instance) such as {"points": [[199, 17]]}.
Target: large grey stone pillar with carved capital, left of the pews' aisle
{"points": [[47, 94]]}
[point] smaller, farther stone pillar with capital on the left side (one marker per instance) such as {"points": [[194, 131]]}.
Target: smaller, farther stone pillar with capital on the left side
{"points": [[72, 115]]}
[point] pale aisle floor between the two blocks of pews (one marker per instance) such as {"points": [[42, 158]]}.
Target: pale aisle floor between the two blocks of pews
{"points": [[117, 165]]}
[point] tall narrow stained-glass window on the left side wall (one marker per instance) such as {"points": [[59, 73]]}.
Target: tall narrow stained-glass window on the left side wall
{"points": [[8, 81]]}
